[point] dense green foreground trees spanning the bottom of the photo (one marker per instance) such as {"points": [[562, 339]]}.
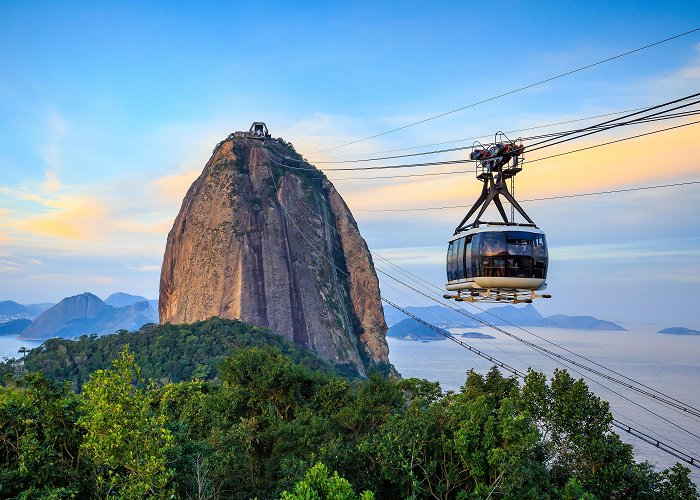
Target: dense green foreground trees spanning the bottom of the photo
{"points": [[270, 426]]}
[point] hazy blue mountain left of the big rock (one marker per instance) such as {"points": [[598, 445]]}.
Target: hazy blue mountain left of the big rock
{"points": [[87, 314]]}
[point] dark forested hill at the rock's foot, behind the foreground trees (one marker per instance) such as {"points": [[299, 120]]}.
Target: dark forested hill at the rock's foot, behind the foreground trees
{"points": [[166, 353]]}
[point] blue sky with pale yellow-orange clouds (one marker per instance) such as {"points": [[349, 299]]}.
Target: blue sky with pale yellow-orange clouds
{"points": [[109, 111]]}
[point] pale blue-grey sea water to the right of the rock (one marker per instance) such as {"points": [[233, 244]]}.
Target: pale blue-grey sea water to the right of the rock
{"points": [[668, 363]]}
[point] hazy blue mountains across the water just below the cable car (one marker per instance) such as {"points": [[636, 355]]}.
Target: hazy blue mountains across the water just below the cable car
{"points": [[444, 317]]}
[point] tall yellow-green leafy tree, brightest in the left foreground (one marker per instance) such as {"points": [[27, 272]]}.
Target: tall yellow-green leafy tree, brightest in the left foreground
{"points": [[125, 440]]}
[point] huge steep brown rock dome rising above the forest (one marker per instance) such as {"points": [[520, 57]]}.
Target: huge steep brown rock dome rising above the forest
{"points": [[275, 247]]}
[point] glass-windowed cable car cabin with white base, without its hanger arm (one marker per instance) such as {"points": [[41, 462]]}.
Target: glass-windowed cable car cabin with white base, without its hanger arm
{"points": [[497, 262]]}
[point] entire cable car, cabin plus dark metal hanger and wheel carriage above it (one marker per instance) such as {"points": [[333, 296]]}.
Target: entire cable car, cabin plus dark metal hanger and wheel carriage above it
{"points": [[503, 260]]}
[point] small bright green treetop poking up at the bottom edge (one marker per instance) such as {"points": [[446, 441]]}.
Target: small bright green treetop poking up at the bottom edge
{"points": [[319, 485]]}
